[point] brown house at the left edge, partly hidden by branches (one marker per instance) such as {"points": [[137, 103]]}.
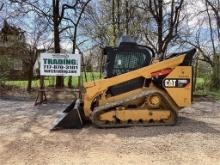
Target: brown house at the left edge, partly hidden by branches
{"points": [[13, 52]]}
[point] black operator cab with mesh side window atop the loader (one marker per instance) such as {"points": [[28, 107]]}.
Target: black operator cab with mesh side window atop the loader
{"points": [[126, 57]]}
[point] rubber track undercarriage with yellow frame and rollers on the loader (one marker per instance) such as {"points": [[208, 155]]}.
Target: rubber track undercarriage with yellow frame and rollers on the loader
{"points": [[154, 108]]}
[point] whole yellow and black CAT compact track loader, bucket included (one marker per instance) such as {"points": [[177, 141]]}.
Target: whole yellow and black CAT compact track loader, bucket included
{"points": [[136, 91]]}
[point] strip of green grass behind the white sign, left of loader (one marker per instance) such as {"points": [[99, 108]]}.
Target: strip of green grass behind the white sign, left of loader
{"points": [[50, 81]]}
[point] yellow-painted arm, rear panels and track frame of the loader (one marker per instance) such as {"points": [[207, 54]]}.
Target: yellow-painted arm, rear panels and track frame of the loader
{"points": [[180, 96]]}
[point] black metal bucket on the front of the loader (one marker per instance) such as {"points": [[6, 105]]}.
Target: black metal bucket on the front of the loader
{"points": [[73, 117]]}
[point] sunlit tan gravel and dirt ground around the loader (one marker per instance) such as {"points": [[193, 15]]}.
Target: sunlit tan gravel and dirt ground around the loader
{"points": [[25, 138]]}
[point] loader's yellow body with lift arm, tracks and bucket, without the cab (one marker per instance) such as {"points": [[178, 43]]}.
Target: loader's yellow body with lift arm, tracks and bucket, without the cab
{"points": [[167, 87]]}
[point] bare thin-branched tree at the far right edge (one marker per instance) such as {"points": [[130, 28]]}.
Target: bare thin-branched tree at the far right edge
{"points": [[208, 47]]}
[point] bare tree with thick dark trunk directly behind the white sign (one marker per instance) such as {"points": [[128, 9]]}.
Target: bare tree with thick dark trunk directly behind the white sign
{"points": [[54, 13]]}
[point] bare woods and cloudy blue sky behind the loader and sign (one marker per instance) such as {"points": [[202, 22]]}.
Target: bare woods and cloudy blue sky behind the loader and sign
{"points": [[89, 25]]}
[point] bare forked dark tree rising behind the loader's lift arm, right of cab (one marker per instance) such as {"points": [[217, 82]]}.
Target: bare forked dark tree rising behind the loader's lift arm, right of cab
{"points": [[167, 17]]}
